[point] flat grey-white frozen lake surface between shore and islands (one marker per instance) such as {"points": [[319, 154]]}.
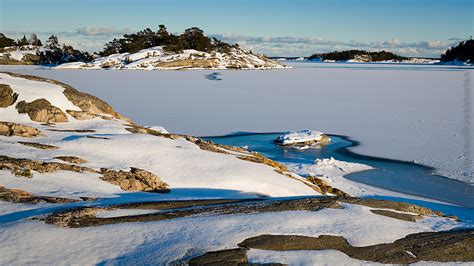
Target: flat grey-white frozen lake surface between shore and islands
{"points": [[405, 112]]}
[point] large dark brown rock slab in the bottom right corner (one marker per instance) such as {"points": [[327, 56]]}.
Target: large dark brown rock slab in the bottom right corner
{"points": [[445, 246]]}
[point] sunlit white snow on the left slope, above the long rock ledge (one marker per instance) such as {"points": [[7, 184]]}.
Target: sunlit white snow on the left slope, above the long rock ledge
{"points": [[180, 163]]}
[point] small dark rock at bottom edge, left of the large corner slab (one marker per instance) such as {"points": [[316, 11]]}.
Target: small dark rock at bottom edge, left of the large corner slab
{"points": [[237, 256]]}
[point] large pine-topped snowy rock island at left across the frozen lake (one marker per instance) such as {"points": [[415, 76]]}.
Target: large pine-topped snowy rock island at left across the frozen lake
{"points": [[146, 49]]}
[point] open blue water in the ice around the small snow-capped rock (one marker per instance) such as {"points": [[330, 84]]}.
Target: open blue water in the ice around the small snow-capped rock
{"points": [[399, 176]]}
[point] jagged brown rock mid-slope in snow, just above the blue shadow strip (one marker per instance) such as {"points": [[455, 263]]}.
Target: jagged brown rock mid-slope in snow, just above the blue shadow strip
{"points": [[134, 180]]}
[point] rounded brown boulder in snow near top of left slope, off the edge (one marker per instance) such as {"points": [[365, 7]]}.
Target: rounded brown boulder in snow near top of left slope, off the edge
{"points": [[41, 110]]}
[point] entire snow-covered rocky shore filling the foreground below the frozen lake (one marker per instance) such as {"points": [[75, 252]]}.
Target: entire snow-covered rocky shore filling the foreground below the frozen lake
{"points": [[82, 184]]}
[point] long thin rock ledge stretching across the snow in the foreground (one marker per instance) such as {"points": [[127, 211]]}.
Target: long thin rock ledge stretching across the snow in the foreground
{"points": [[178, 209]]}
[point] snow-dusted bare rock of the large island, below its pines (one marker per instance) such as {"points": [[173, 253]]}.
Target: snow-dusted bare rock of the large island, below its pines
{"points": [[157, 58]]}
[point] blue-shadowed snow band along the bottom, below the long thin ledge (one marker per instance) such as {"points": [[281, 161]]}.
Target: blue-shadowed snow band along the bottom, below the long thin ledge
{"points": [[180, 239]]}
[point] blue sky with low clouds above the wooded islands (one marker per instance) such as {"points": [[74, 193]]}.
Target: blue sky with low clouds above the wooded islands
{"points": [[273, 27]]}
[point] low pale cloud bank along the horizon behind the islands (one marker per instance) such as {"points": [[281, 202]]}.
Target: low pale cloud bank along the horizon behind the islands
{"points": [[93, 39]]}
